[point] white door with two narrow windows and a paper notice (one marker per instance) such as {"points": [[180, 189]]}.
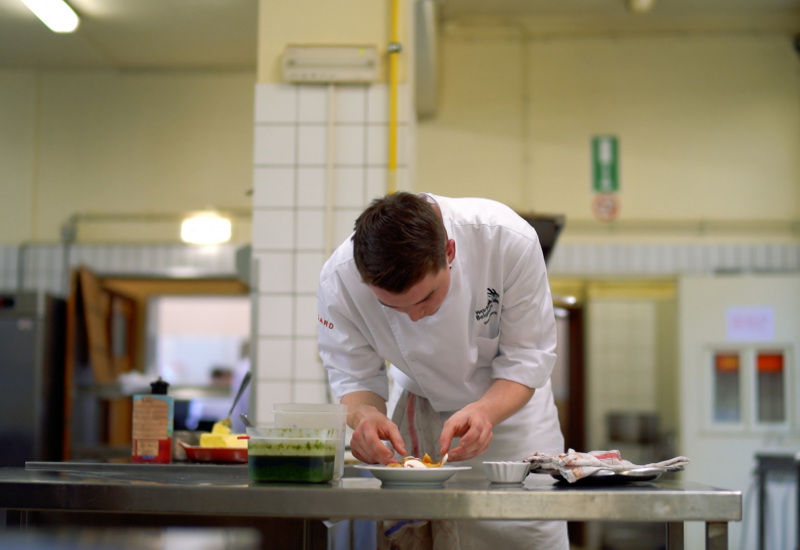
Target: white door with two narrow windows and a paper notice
{"points": [[739, 341]]}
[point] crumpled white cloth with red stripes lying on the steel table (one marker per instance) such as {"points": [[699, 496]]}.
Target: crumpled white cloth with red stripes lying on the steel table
{"points": [[574, 465]]}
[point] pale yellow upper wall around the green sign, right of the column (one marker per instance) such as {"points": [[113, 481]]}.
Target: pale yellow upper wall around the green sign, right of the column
{"points": [[708, 124]]}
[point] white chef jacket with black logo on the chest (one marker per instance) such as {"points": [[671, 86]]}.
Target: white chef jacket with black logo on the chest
{"points": [[496, 321]]}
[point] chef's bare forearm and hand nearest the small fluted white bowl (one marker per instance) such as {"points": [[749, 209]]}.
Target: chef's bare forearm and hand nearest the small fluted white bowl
{"points": [[474, 422]]}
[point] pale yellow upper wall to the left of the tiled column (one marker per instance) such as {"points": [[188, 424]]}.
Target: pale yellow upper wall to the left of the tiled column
{"points": [[122, 142]]}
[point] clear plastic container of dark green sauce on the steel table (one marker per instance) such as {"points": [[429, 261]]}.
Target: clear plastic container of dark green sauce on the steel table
{"points": [[290, 455]]}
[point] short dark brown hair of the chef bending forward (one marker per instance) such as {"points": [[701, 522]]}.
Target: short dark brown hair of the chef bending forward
{"points": [[399, 239]]}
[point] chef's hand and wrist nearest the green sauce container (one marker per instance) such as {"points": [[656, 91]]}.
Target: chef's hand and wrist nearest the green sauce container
{"points": [[366, 414]]}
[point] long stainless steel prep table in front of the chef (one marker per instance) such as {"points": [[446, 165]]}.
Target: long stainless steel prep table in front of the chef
{"points": [[226, 491]]}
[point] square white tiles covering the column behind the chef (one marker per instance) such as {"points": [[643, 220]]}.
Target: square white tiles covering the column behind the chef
{"points": [[308, 190]]}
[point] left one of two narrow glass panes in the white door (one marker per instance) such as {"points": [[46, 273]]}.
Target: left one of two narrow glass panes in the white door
{"points": [[727, 391]]}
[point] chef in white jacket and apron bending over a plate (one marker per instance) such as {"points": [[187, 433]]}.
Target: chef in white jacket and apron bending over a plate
{"points": [[452, 295]]}
